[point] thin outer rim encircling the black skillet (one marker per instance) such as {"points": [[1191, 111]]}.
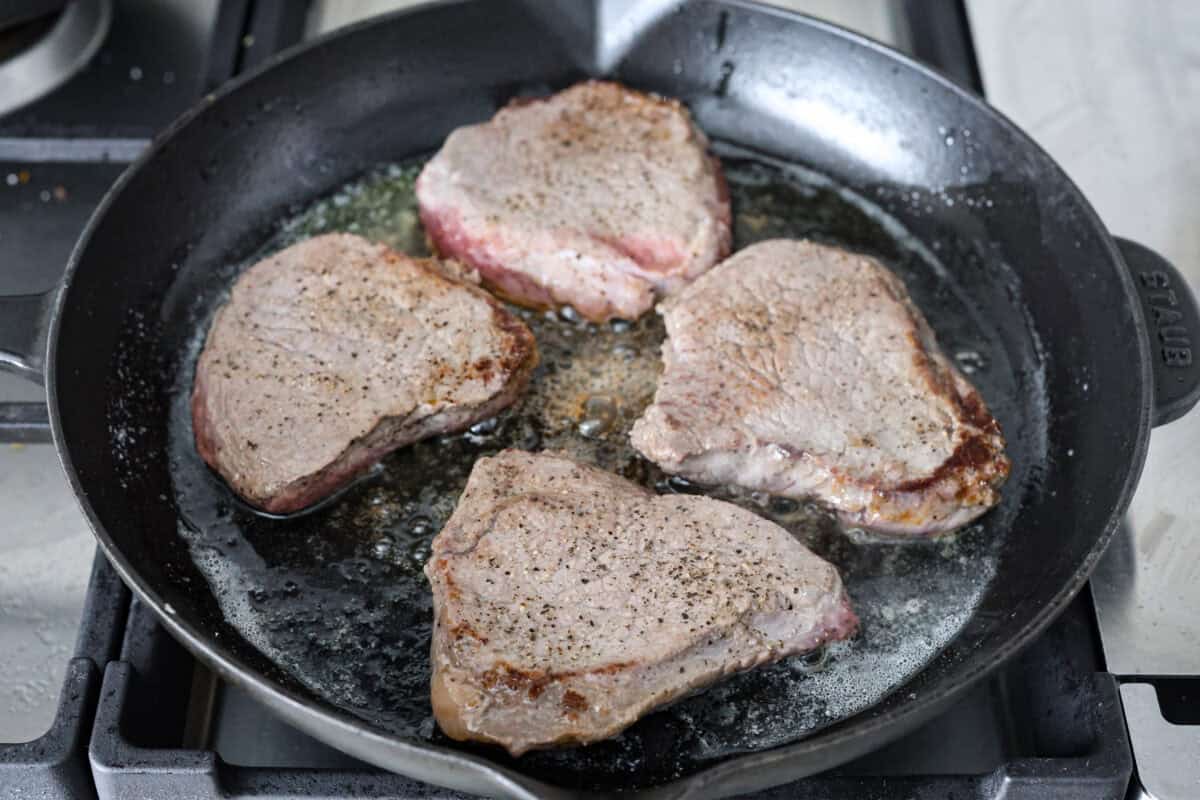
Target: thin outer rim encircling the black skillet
{"points": [[465, 771]]}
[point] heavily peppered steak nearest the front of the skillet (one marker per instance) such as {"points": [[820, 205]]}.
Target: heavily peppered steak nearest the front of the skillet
{"points": [[569, 601]]}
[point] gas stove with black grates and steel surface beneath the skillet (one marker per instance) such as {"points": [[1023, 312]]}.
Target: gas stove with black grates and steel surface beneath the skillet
{"points": [[1101, 707]]}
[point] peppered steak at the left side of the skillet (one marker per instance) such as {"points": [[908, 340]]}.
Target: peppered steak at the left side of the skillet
{"points": [[337, 351]]}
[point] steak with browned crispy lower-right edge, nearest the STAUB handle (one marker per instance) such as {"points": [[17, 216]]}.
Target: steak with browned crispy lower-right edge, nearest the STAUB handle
{"points": [[806, 371]]}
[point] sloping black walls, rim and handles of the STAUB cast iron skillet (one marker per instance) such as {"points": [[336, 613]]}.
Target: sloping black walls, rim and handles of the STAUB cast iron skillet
{"points": [[1097, 330]]}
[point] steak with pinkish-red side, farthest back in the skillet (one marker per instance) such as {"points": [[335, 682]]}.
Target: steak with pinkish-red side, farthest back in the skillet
{"points": [[598, 197]]}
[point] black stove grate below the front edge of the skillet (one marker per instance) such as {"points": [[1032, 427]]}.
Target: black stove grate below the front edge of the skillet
{"points": [[1049, 726]]}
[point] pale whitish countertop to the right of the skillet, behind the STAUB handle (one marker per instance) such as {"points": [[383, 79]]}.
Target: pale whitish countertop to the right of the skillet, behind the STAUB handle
{"points": [[1112, 91]]}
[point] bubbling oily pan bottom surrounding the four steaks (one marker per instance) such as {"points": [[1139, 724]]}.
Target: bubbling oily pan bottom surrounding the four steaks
{"points": [[337, 599]]}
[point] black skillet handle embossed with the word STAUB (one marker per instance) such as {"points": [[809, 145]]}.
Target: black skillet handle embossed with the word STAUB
{"points": [[1173, 326]]}
